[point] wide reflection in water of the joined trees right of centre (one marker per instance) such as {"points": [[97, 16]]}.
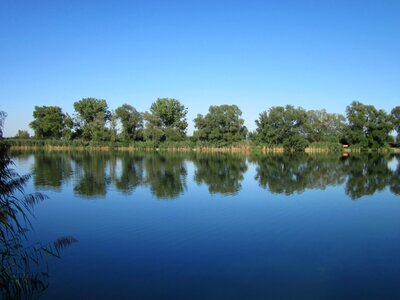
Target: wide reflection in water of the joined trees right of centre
{"points": [[289, 173]]}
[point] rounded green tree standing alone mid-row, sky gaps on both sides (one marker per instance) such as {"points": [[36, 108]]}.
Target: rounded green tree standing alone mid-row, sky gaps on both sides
{"points": [[222, 125]]}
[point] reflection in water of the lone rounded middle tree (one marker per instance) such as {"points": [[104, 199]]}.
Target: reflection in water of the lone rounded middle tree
{"points": [[222, 173]]}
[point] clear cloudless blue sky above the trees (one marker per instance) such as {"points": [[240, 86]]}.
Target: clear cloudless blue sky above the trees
{"points": [[255, 54]]}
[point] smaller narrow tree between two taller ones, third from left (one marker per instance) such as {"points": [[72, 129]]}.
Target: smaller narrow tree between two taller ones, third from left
{"points": [[132, 123]]}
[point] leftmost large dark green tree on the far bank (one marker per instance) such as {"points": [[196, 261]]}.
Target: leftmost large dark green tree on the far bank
{"points": [[48, 122]]}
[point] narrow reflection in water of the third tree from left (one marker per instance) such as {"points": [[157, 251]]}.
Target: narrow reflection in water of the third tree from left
{"points": [[126, 170]]}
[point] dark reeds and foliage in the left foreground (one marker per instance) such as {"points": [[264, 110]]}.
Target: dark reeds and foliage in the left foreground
{"points": [[23, 270]]}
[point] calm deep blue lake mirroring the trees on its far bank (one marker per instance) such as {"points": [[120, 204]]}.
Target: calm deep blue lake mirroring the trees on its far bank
{"points": [[218, 226]]}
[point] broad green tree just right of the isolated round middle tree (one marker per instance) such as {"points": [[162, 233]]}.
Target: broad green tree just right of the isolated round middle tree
{"points": [[286, 126]]}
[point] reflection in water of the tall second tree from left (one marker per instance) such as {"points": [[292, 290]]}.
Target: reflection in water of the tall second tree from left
{"points": [[90, 170]]}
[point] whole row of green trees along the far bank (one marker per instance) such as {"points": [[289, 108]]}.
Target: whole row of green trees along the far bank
{"points": [[290, 127]]}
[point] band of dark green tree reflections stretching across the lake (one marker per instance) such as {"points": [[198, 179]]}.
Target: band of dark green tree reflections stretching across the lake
{"points": [[166, 174]]}
